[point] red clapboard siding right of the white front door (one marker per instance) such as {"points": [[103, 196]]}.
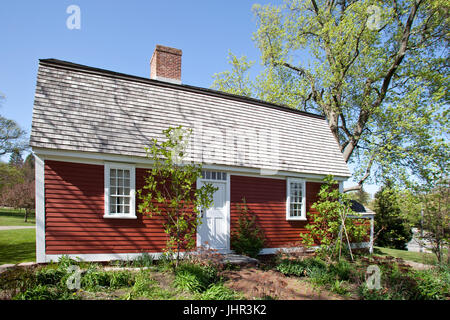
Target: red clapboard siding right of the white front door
{"points": [[266, 198]]}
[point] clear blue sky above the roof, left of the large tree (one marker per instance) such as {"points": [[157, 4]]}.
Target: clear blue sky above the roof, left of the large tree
{"points": [[119, 36]]}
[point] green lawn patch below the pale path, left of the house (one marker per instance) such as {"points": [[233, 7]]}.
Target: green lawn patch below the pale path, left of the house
{"points": [[17, 246]]}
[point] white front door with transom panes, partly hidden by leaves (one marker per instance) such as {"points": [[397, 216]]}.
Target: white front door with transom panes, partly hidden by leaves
{"points": [[213, 232]]}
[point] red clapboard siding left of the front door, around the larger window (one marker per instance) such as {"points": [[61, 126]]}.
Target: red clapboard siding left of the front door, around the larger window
{"points": [[74, 209]]}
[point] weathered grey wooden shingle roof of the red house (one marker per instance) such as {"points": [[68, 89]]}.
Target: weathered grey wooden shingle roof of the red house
{"points": [[80, 108]]}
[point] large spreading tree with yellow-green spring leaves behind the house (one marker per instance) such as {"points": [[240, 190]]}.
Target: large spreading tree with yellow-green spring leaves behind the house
{"points": [[378, 71]]}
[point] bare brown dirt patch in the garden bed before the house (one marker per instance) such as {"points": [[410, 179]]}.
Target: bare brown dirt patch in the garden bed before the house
{"points": [[257, 283]]}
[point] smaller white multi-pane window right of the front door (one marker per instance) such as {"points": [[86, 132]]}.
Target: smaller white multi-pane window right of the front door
{"points": [[295, 204]]}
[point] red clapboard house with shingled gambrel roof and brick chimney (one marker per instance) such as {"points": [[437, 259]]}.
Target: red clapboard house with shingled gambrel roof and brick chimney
{"points": [[89, 130]]}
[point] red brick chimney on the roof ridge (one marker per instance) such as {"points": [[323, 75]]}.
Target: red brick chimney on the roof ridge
{"points": [[165, 64]]}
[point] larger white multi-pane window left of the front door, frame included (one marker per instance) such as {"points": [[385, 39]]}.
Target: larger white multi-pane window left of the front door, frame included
{"points": [[119, 191]]}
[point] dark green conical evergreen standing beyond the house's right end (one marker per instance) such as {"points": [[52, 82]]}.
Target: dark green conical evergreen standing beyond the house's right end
{"points": [[390, 226]]}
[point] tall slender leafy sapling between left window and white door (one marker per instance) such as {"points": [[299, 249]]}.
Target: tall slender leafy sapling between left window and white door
{"points": [[170, 192]]}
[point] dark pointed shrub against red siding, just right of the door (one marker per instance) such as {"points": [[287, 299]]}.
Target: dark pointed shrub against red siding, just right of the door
{"points": [[248, 238]]}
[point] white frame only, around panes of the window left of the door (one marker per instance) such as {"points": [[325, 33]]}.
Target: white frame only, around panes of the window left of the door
{"points": [[132, 214]]}
